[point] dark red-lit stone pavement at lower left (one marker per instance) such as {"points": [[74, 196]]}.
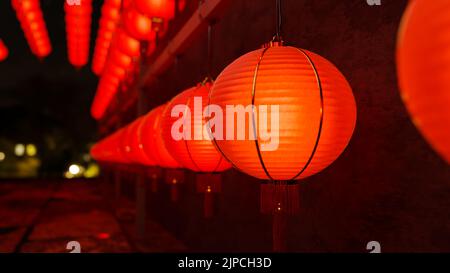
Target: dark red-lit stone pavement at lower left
{"points": [[44, 216]]}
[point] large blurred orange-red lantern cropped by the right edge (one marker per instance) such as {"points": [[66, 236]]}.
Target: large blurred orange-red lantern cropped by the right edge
{"points": [[423, 66]]}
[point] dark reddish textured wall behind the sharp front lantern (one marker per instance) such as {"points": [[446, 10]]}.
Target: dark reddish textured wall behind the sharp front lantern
{"points": [[387, 186]]}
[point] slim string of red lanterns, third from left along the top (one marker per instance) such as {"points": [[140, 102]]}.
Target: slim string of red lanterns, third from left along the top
{"points": [[107, 26]]}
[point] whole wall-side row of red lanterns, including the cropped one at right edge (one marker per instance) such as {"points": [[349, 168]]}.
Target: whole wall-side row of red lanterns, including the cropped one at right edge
{"points": [[316, 113]]}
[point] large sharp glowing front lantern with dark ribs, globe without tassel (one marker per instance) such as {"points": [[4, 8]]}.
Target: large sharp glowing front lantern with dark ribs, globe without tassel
{"points": [[317, 112]]}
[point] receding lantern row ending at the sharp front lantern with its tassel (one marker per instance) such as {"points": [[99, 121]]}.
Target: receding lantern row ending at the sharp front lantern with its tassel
{"points": [[312, 117]]}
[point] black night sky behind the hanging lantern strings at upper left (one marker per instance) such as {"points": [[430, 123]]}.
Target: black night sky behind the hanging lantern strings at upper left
{"points": [[46, 102]]}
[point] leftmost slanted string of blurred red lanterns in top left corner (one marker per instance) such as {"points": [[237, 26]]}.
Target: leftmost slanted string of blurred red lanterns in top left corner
{"points": [[31, 19]]}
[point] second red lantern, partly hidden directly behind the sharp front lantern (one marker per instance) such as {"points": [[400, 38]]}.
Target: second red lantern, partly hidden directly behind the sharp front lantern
{"points": [[195, 151]]}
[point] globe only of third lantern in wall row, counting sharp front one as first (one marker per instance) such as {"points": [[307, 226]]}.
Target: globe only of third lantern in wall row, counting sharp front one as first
{"points": [[152, 139]]}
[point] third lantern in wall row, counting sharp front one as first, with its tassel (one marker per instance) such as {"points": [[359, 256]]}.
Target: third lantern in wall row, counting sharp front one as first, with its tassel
{"points": [[153, 145]]}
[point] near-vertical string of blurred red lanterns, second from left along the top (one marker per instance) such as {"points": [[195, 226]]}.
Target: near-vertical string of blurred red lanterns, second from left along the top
{"points": [[78, 29]]}
